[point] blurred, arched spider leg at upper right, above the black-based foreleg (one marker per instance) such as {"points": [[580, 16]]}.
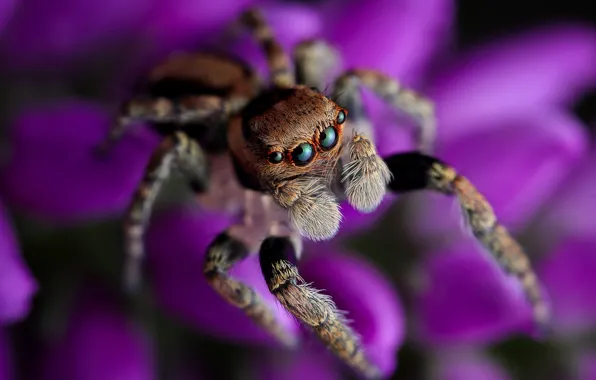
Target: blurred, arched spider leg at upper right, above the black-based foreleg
{"points": [[401, 98]]}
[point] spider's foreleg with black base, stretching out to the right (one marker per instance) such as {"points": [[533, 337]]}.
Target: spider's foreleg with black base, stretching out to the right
{"points": [[416, 171]]}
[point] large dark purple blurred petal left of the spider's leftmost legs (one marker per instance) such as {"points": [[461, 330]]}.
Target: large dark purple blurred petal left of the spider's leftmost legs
{"points": [[53, 147]]}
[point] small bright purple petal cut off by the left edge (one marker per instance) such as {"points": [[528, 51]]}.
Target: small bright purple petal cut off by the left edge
{"points": [[17, 285]]}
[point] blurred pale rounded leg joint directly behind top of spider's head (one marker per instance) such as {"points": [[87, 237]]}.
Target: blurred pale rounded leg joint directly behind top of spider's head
{"points": [[314, 60]]}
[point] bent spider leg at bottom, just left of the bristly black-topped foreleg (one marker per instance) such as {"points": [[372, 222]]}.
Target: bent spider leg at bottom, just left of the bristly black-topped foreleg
{"points": [[226, 250]]}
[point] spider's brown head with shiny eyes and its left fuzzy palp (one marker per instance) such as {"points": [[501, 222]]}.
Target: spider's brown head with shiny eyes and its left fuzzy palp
{"points": [[295, 139]]}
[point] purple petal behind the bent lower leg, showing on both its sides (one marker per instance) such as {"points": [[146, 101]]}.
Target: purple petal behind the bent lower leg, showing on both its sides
{"points": [[177, 243]]}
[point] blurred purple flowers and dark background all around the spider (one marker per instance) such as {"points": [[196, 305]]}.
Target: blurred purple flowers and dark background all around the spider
{"points": [[514, 85]]}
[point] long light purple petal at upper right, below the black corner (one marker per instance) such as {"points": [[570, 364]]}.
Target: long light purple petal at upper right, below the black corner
{"points": [[547, 65]]}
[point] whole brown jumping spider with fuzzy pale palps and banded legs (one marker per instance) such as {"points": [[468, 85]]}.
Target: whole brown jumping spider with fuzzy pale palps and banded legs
{"points": [[288, 154]]}
